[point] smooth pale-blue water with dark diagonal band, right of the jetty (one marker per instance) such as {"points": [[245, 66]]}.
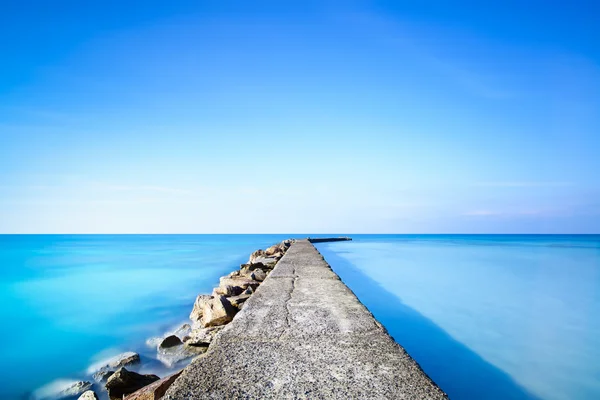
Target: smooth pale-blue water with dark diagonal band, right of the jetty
{"points": [[486, 316]]}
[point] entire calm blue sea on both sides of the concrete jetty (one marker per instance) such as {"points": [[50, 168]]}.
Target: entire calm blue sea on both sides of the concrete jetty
{"points": [[487, 317]]}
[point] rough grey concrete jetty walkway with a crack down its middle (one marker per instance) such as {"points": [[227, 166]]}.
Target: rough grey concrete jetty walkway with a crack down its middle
{"points": [[304, 335]]}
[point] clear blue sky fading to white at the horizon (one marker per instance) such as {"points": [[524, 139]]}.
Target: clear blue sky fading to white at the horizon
{"points": [[354, 116]]}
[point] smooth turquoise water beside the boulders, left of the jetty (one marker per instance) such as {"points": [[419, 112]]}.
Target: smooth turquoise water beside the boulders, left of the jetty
{"points": [[67, 301]]}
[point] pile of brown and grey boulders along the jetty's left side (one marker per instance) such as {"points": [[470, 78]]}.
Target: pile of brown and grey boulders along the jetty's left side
{"points": [[119, 377]]}
